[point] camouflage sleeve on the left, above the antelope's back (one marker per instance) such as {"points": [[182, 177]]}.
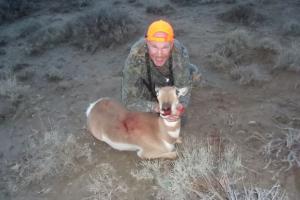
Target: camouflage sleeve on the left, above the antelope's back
{"points": [[132, 96]]}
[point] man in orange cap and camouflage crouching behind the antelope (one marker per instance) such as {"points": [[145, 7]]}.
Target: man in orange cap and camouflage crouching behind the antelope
{"points": [[155, 61]]}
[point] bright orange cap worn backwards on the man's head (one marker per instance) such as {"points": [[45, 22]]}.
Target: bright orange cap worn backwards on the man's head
{"points": [[160, 31]]}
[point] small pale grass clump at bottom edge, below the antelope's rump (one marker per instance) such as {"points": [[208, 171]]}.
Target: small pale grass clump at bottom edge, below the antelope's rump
{"points": [[104, 185]]}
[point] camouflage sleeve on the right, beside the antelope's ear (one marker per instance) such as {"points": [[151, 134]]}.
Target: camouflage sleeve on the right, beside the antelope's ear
{"points": [[182, 75]]}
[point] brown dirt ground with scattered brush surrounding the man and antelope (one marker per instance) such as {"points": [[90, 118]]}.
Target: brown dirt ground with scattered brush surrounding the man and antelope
{"points": [[45, 150]]}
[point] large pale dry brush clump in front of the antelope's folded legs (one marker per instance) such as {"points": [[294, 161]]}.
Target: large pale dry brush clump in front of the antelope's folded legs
{"points": [[199, 173]]}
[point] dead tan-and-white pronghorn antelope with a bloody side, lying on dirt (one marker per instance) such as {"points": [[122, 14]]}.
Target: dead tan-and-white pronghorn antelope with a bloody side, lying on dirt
{"points": [[152, 135]]}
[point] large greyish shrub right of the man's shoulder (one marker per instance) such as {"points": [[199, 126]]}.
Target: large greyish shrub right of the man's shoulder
{"points": [[245, 57]]}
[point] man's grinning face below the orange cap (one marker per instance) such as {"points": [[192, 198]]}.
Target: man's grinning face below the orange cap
{"points": [[159, 52]]}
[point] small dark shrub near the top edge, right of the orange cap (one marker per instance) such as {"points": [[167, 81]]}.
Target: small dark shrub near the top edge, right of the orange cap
{"points": [[242, 14]]}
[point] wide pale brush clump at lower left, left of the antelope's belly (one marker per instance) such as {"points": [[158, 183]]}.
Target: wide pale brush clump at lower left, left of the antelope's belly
{"points": [[47, 153]]}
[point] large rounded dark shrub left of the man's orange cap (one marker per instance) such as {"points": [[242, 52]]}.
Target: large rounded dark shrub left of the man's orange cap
{"points": [[103, 29]]}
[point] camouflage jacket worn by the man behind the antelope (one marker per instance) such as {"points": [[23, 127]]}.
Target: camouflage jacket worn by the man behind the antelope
{"points": [[135, 94]]}
